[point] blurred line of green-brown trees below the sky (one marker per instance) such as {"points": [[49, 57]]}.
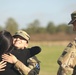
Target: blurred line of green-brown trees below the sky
{"points": [[36, 28]]}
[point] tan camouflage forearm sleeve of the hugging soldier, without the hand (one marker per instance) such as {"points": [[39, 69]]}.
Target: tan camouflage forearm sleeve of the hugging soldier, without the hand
{"points": [[24, 70]]}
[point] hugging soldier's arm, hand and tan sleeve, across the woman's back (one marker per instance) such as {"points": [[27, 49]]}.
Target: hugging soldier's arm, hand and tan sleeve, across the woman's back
{"points": [[23, 69]]}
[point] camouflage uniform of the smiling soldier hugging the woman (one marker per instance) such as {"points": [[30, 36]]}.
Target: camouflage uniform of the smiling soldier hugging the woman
{"points": [[33, 64]]}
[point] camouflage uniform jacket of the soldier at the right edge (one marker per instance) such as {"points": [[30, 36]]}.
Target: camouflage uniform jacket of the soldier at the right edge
{"points": [[67, 60]]}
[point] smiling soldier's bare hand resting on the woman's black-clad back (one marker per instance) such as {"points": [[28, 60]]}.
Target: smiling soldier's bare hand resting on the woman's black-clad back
{"points": [[9, 58]]}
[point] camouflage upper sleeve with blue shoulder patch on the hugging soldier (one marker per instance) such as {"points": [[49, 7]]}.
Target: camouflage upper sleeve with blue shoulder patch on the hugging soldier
{"points": [[34, 65]]}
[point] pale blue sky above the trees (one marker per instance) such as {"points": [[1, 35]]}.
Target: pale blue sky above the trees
{"points": [[26, 11]]}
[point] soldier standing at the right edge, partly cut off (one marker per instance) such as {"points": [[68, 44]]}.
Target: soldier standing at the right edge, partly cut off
{"points": [[67, 60]]}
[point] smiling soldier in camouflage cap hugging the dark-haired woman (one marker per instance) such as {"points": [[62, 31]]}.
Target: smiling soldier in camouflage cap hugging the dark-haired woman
{"points": [[33, 63]]}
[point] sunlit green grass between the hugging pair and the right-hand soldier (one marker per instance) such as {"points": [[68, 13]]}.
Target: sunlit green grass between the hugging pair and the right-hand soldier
{"points": [[48, 58]]}
